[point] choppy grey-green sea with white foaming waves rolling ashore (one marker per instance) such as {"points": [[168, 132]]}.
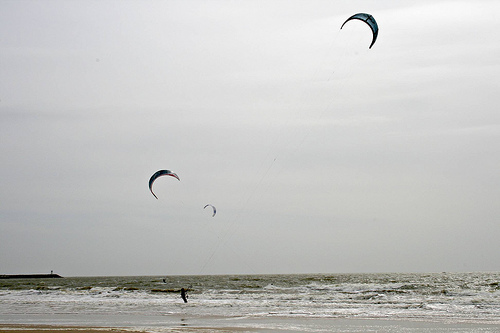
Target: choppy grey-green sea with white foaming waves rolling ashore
{"points": [[153, 303]]}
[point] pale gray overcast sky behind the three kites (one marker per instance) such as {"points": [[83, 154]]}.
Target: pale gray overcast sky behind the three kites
{"points": [[320, 154]]}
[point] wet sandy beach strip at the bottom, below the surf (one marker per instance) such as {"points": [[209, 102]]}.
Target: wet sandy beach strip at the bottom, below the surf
{"points": [[272, 324]]}
